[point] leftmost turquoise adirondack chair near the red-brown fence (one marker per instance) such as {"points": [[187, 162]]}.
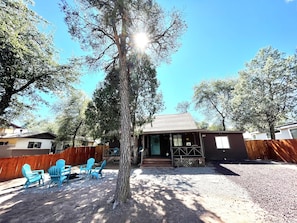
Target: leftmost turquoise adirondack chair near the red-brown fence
{"points": [[32, 176]]}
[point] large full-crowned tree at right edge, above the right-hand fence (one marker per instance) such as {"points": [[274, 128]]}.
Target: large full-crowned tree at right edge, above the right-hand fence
{"points": [[266, 92]]}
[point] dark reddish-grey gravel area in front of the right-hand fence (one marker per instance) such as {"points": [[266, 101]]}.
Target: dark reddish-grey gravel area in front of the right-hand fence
{"points": [[272, 186]]}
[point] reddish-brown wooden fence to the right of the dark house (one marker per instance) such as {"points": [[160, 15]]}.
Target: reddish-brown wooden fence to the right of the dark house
{"points": [[280, 150]]}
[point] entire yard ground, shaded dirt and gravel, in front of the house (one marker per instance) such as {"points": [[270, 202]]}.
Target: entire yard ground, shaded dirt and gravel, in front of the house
{"points": [[228, 193]]}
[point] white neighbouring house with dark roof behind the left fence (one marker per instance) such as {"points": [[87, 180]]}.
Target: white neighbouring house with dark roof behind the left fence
{"points": [[26, 144]]}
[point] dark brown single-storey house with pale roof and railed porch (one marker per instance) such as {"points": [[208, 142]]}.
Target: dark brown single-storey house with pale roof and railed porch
{"points": [[176, 137]]}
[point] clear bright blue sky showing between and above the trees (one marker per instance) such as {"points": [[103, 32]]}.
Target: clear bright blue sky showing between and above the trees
{"points": [[222, 36]]}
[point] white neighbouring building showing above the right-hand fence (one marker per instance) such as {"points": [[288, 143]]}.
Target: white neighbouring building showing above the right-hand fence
{"points": [[288, 131]]}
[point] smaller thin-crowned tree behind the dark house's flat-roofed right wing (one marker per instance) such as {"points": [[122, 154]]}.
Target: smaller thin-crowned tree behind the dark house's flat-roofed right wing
{"points": [[214, 99]]}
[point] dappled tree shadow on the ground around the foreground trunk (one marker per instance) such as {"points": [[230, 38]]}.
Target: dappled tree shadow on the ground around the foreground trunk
{"points": [[85, 200]]}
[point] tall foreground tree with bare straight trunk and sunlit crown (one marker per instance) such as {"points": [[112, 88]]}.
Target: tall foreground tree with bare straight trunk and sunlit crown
{"points": [[107, 29]]}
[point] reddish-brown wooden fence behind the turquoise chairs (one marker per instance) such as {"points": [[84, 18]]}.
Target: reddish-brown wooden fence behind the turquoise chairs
{"points": [[11, 168]]}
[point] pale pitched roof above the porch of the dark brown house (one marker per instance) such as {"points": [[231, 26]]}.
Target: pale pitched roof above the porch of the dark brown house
{"points": [[183, 122]]}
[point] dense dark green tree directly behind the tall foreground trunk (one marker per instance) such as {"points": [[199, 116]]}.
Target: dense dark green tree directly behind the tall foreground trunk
{"points": [[103, 112]]}
